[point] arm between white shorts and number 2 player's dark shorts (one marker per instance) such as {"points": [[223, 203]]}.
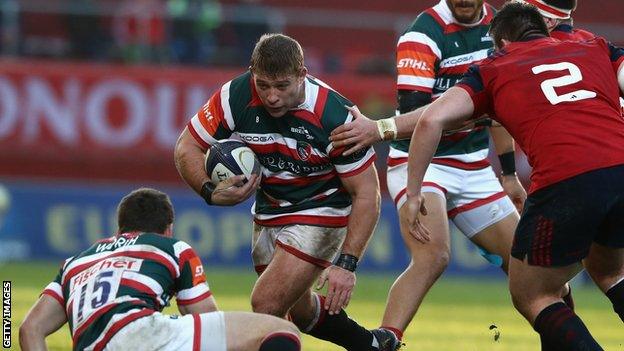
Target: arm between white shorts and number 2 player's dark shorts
{"points": [[505, 149]]}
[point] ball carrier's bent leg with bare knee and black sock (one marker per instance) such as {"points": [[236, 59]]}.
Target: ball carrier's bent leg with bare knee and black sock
{"points": [[285, 286]]}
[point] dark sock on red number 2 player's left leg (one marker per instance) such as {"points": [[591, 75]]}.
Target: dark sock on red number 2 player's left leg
{"points": [[560, 328]]}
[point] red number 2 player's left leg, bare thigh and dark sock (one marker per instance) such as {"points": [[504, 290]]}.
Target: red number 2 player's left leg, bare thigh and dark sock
{"points": [[536, 292]]}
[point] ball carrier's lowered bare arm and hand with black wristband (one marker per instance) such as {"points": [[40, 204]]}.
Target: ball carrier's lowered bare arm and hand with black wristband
{"points": [[364, 190]]}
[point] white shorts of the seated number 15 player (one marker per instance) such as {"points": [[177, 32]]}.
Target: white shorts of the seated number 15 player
{"points": [[157, 331]]}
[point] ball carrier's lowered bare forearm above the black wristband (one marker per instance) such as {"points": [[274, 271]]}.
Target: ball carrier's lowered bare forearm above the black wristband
{"points": [[362, 220]]}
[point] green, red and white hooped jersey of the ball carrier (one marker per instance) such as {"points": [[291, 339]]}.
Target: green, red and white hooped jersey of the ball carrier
{"points": [[301, 169]]}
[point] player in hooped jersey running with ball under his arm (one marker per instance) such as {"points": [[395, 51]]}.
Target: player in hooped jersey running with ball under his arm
{"points": [[314, 203]]}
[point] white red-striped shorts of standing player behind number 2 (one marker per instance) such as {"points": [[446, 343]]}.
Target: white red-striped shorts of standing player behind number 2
{"points": [[474, 198]]}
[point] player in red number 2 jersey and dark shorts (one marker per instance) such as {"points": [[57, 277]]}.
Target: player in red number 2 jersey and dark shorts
{"points": [[574, 139]]}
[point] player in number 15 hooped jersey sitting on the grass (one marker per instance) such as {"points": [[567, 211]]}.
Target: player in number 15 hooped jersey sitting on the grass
{"points": [[112, 294]]}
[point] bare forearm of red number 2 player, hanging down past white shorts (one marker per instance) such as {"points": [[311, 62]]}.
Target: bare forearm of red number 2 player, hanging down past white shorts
{"points": [[423, 144]]}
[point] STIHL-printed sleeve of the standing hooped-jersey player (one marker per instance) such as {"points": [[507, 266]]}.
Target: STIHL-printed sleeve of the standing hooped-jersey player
{"points": [[417, 56]]}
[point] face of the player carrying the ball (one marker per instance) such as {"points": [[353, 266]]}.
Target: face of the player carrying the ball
{"points": [[280, 94]]}
